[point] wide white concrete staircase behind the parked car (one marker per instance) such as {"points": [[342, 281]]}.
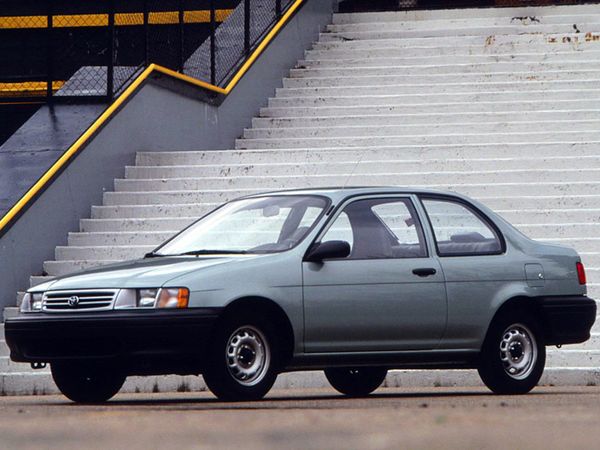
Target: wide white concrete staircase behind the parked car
{"points": [[500, 104]]}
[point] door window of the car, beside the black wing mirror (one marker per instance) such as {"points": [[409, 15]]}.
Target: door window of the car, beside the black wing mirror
{"points": [[379, 228]]}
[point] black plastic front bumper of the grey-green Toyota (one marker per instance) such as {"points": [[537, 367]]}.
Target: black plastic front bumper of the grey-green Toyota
{"points": [[137, 338]]}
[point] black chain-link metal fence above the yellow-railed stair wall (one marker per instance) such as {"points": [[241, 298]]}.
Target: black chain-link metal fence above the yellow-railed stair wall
{"points": [[90, 51]]}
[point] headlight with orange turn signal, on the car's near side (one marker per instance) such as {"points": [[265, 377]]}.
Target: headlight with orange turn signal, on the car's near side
{"points": [[152, 298]]}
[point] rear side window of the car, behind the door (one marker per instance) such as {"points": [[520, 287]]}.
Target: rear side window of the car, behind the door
{"points": [[460, 231]]}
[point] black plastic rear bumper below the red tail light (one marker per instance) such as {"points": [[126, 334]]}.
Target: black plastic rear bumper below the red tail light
{"points": [[567, 319]]}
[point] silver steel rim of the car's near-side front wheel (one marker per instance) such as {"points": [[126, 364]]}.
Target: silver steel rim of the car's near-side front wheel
{"points": [[248, 355]]}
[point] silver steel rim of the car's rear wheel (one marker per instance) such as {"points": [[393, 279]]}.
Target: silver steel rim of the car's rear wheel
{"points": [[518, 351]]}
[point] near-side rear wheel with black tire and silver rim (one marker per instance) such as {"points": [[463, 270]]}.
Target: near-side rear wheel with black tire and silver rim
{"points": [[513, 355]]}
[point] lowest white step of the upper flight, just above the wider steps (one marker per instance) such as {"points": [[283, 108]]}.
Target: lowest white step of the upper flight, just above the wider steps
{"points": [[457, 137]]}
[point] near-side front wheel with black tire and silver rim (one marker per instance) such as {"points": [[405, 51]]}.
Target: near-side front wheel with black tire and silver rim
{"points": [[242, 359]]}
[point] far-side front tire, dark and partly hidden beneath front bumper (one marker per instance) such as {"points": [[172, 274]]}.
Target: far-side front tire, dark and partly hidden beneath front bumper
{"points": [[86, 381]]}
